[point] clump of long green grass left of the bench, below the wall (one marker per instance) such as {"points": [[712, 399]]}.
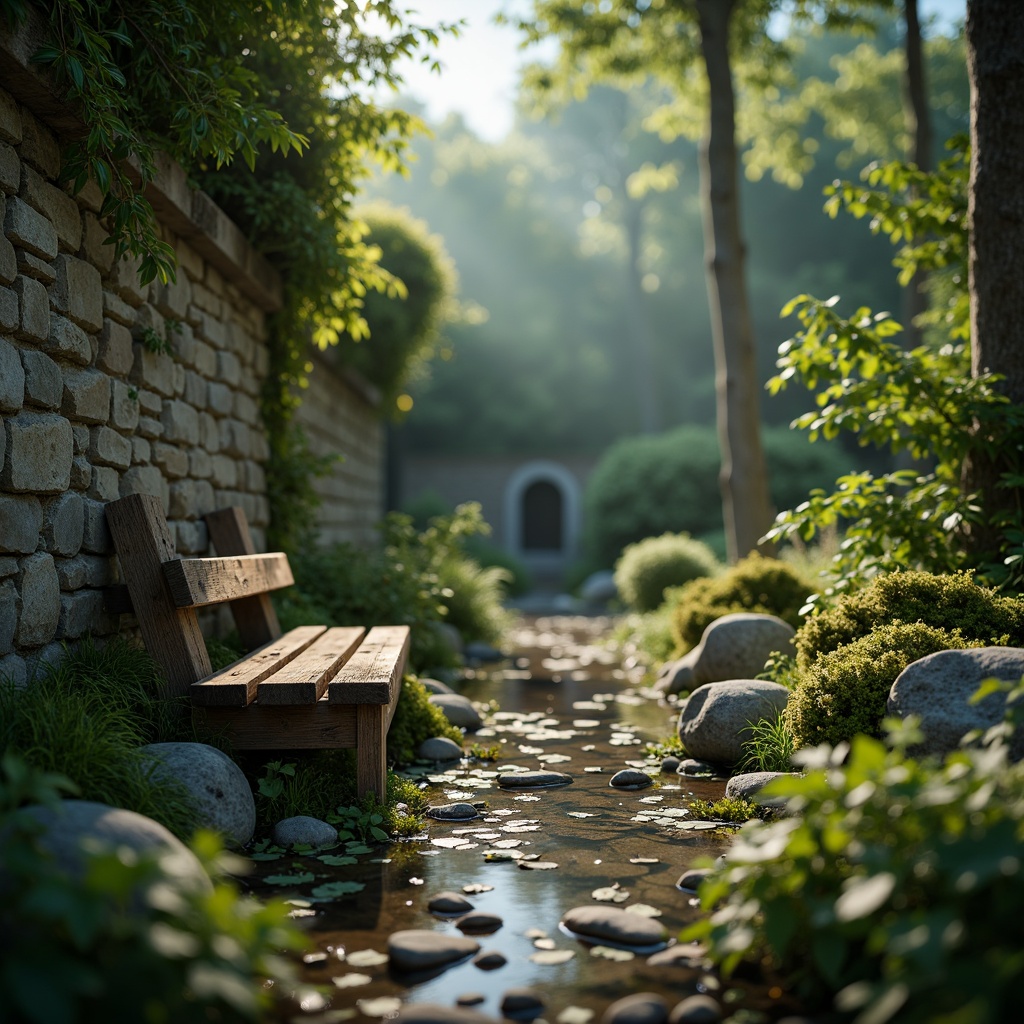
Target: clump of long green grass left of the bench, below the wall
{"points": [[88, 717]]}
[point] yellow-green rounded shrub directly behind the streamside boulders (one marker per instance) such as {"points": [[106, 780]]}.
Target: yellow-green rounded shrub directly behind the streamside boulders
{"points": [[755, 584]]}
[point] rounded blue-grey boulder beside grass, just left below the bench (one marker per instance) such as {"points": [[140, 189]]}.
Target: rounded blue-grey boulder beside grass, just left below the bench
{"points": [[217, 786]]}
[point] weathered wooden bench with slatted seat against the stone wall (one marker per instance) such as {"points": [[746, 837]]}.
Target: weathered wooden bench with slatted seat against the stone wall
{"points": [[311, 689]]}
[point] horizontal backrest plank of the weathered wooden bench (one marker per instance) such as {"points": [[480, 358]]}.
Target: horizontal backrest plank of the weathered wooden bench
{"points": [[199, 582]]}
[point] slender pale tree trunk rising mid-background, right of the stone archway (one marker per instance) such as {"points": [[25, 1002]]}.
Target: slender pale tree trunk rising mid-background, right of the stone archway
{"points": [[746, 503]]}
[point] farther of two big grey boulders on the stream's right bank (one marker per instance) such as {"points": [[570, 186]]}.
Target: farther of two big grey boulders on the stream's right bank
{"points": [[735, 647]]}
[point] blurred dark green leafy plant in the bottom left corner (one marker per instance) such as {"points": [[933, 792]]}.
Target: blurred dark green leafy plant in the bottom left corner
{"points": [[95, 950]]}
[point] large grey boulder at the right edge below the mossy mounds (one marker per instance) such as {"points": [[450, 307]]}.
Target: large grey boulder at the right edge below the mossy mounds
{"points": [[938, 690]]}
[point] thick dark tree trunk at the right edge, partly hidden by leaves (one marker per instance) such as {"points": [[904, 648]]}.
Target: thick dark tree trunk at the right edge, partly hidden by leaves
{"points": [[996, 219]]}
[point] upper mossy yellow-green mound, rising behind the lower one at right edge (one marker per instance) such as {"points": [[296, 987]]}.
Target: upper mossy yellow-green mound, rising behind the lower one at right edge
{"points": [[948, 603]]}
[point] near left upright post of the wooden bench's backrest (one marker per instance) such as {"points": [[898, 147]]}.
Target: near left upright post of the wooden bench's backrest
{"points": [[173, 636]]}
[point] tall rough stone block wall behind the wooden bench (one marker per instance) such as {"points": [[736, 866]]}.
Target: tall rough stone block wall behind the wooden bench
{"points": [[110, 389]]}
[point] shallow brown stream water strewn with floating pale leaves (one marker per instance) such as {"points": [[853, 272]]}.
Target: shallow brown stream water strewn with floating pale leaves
{"points": [[562, 702]]}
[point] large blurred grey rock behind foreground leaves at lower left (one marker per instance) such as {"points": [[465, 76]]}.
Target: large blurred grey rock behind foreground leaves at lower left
{"points": [[65, 828]]}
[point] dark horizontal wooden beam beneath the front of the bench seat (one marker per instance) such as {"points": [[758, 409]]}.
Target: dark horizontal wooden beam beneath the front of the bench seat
{"points": [[274, 728]]}
